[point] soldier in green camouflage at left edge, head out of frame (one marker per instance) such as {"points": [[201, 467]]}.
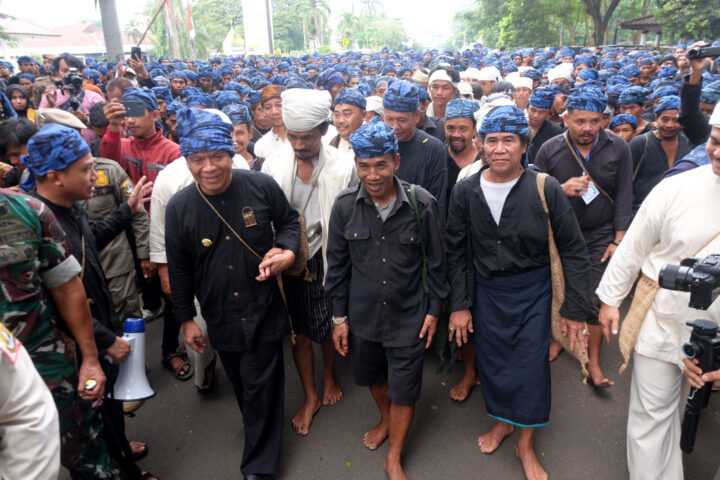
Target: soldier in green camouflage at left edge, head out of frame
{"points": [[35, 261]]}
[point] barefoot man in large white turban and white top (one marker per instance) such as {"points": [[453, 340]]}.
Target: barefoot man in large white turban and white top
{"points": [[311, 175]]}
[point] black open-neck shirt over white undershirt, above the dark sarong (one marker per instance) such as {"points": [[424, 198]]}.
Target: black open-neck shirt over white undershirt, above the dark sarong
{"points": [[517, 244]]}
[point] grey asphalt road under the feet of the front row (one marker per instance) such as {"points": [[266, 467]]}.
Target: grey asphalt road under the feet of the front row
{"points": [[200, 437]]}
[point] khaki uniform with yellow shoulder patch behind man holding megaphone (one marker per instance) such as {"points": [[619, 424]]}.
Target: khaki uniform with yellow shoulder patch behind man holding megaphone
{"points": [[113, 188]]}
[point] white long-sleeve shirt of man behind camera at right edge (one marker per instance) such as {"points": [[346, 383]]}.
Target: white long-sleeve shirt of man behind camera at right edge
{"points": [[676, 219]]}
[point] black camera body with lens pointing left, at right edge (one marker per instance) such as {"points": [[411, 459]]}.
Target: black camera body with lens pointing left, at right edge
{"points": [[700, 277]]}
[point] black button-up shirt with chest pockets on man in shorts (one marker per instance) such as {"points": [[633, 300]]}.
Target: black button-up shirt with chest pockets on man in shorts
{"points": [[374, 273]]}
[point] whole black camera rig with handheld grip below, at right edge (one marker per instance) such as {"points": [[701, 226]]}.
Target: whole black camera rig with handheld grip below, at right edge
{"points": [[700, 277]]}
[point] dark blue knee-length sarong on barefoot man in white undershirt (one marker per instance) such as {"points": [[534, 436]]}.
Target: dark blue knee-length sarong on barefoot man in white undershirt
{"points": [[512, 339]]}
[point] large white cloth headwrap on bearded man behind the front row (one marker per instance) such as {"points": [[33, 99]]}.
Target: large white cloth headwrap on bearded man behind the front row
{"points": [[305, 109]]}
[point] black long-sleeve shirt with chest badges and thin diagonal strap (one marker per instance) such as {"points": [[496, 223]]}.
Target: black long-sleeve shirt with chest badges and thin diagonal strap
{"points": [[206, 260]]}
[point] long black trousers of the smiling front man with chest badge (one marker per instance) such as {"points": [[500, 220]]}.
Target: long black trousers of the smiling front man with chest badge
{"points": [[258, 378]]}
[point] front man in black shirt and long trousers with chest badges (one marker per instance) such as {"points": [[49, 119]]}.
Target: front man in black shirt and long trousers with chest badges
{"points": [[226, 236]]}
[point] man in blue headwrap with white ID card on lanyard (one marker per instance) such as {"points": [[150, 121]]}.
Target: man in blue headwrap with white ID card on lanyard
{"points": [[594, 168]]}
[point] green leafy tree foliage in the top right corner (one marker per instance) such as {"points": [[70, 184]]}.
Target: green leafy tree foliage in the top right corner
{"points": [[688, 19]]}
